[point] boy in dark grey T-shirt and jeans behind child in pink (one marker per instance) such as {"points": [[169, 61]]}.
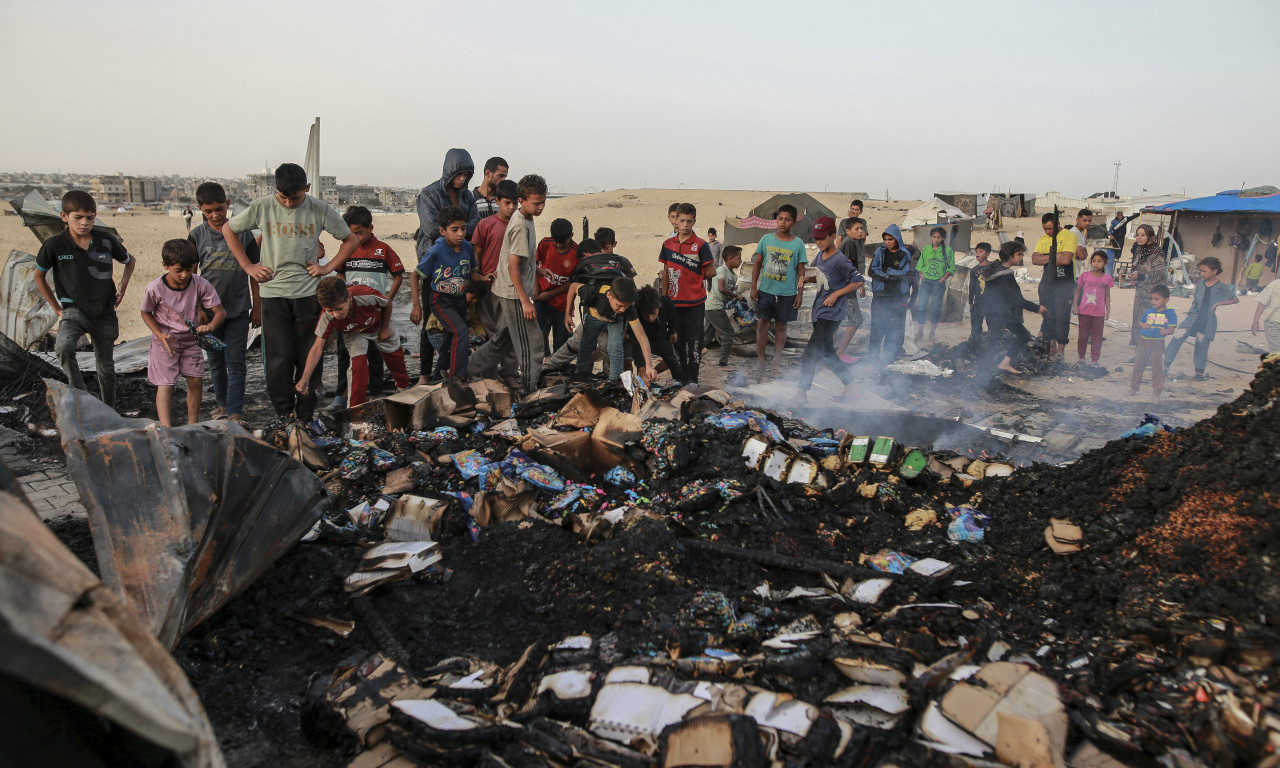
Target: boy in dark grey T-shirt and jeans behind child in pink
{"points": [[236, 292]]}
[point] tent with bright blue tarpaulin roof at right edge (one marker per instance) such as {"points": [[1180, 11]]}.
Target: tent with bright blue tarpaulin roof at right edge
{"points": [[1233, 226]]}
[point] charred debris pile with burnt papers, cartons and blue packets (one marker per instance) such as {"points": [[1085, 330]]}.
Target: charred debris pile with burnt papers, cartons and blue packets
{"points": [[625, 578]]}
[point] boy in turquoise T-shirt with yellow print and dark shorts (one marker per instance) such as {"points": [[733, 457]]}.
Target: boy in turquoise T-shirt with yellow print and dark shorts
{"points": [[778, 287]]}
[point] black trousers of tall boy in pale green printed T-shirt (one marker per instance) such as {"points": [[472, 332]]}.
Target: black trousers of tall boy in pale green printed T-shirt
{"points": [[289, 332]]}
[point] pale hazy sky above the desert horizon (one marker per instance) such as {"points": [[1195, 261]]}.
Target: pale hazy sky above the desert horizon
{"points": [[912, 98]]}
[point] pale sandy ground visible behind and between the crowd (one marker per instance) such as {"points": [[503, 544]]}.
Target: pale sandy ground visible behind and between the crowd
{"points": [[639, 218]]}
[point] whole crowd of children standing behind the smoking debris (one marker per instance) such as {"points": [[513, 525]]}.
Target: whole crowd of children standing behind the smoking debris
{"points": [[554, 303]]}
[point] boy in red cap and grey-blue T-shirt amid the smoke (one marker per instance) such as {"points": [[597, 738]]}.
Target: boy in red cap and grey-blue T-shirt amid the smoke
{"points": [[836, 278]]}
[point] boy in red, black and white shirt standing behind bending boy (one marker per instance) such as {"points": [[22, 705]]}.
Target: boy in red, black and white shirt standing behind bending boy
{"points": [[374, 264]]}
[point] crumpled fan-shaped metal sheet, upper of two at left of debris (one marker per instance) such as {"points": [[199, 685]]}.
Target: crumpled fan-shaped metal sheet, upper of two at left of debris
{"points": [[182, 518]]}
